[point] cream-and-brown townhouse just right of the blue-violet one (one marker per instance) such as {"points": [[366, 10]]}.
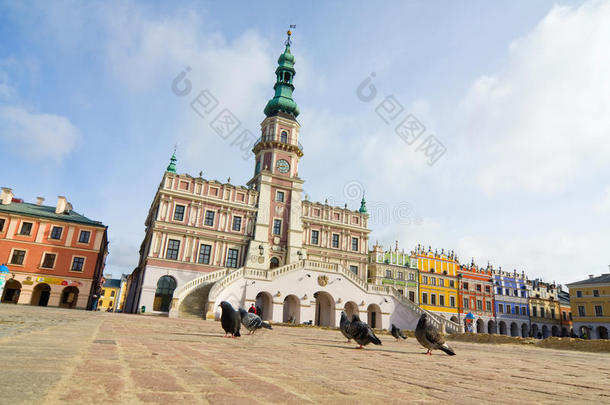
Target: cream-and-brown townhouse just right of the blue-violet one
{"points": [[544, 309]]}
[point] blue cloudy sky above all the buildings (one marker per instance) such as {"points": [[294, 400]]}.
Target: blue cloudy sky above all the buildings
{"points": [[506, 104]]}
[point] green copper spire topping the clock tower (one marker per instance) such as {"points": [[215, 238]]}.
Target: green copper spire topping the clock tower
{"points": [[282, 101]]}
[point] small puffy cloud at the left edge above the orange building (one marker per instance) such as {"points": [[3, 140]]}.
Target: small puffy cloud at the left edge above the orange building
{"points": [[37, 136]]}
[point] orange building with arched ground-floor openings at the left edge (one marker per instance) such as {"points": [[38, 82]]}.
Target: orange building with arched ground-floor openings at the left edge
{"points": [[55, 255]]}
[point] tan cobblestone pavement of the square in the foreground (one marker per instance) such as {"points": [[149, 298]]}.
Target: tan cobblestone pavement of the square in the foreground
{"points": [[53, 356]]}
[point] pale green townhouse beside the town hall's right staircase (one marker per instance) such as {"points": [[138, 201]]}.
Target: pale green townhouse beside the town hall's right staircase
{"points": [[394, 268]]}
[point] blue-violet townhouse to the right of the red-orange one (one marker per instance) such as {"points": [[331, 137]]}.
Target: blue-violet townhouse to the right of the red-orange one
{"points": [[511, 304]]}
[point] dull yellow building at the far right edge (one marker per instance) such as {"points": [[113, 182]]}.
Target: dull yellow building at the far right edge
{"points": [[590, 302]]}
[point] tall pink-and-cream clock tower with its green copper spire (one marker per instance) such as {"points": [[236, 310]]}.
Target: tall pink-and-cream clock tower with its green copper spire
{"points": [[278, 235]]}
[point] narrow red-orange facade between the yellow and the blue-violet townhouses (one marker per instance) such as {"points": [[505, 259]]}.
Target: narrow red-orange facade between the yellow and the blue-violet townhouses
{"points": [[475, 297]]}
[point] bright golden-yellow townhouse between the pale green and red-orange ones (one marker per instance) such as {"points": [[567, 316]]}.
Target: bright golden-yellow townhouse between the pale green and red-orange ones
{"points": [[438, 286]]}
